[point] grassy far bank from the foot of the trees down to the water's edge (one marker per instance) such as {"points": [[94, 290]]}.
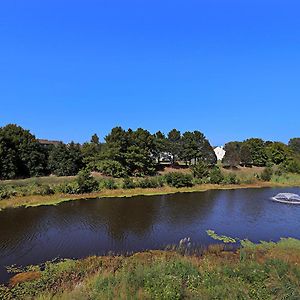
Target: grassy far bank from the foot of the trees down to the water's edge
{"points": [[53, 190]]}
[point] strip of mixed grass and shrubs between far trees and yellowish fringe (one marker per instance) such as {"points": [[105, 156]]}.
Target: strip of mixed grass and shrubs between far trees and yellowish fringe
{"points": [[84, 183]]}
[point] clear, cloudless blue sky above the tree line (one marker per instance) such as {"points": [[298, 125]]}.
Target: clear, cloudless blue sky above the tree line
{"points": [[231, 69]]}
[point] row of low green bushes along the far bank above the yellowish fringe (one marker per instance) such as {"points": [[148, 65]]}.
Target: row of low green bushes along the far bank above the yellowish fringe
{"points": [[202, 173]]}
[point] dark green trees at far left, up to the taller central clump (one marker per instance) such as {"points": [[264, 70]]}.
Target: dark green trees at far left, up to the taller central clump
{"points": [[22, 155]]}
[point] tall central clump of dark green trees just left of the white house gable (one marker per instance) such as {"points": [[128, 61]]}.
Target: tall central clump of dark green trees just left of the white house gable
{"points": [[139, 153]]}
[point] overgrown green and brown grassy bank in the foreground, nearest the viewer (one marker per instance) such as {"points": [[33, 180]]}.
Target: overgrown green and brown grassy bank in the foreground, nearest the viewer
{"points": [[264, 271]]}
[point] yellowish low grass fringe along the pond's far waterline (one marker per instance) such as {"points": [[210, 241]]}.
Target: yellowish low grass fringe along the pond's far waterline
{"points": [[285, 180]]}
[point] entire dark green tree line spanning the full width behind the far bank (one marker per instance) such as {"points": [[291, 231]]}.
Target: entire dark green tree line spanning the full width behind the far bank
{"points": [[134, 153]]}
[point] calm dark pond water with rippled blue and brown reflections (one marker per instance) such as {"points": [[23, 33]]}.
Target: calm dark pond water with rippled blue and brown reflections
{"points": [[80, 228]]}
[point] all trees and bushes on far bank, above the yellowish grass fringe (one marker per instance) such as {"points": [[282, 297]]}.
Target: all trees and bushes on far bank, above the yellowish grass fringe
{"points": [[136, 156]]}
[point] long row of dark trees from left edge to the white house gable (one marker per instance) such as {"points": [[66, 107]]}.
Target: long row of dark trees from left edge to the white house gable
{"points": [[124, 153]]}
